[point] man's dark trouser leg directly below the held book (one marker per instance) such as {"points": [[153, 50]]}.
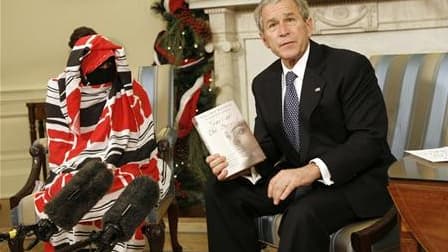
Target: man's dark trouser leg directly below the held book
{"points": [[231, 208]]}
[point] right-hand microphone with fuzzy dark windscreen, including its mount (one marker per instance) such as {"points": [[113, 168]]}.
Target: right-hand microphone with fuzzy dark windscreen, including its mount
{"points": [[124, 217]]}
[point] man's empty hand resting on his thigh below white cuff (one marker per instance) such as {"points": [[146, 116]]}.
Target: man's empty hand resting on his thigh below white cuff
{"points": [[287, 180]]}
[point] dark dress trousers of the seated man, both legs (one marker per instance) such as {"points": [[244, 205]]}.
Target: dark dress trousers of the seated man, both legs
{"points": [[308, 221]]}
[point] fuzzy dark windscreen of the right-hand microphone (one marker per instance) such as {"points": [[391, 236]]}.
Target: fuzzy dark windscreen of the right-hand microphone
{"points": [[131, 207]]}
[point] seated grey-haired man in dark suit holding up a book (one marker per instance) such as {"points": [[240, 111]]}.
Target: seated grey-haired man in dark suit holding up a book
{"points": [[322, 123]]}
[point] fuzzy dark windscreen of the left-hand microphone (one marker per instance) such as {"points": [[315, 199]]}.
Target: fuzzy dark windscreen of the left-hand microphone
{"points": [[80, 194]]}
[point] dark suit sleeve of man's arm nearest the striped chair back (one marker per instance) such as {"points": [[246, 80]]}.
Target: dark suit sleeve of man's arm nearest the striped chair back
{"points": [[365, 120]]}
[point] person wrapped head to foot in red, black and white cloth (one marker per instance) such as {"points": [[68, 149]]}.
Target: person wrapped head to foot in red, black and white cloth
{"points": [[95, 110]]}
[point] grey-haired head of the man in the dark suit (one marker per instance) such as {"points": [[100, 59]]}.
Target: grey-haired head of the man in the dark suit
{"points": [[285, 31]]}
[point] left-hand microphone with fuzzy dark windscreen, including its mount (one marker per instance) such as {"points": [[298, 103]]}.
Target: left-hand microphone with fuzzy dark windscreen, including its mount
{"points": [[75, 199]]}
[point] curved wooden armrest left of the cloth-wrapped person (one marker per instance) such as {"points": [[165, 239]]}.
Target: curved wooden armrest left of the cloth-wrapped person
{"points": [[38, 154]]}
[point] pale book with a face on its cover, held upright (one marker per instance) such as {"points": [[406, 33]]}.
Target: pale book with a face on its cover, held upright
{"points": [[224, 131]]}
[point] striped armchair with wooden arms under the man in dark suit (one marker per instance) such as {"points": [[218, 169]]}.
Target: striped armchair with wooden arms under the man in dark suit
{"points": [[415, 91]]}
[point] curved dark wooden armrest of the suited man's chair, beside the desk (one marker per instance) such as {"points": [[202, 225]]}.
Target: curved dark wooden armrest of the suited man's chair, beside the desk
{"points": [[362, 240]]}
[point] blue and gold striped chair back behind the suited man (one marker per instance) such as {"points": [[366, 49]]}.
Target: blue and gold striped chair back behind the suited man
{"points": [[417, 105]]}
